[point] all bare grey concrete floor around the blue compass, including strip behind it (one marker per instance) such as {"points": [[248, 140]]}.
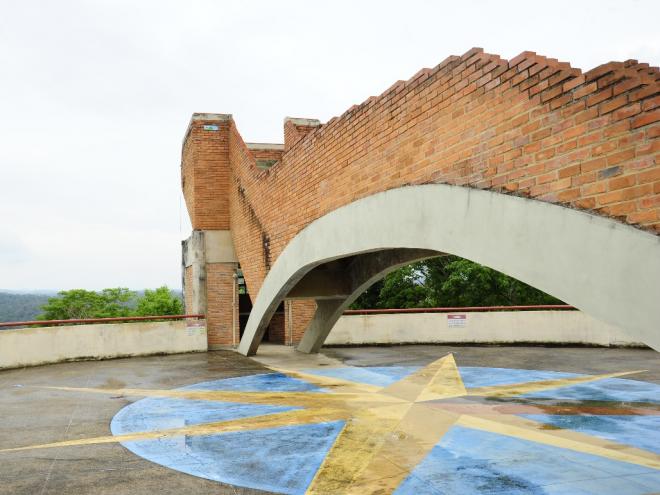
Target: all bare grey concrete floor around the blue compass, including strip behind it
{"points": [[34, 415]]}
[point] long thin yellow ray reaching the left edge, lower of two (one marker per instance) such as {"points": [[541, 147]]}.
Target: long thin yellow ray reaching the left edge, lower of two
{"points": [[274, 420]]}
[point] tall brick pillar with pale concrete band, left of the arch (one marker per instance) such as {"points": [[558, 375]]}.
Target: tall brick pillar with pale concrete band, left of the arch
{"points": [[209, 260]]}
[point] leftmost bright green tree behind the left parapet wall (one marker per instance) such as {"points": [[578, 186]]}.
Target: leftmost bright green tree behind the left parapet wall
{"points": [[81, 304]]}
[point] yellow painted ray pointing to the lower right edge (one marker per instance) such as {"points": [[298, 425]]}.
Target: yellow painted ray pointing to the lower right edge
{"points": [[517, 427]]}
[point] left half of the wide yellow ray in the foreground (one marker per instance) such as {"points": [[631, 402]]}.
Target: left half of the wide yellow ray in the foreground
{"points": [[354, 447]]}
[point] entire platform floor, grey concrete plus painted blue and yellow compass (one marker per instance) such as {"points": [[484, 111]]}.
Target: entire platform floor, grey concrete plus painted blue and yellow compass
{"points": [[403, 419]]}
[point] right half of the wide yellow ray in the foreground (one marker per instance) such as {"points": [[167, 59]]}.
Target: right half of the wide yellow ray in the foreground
{"points": [[410, 442]]}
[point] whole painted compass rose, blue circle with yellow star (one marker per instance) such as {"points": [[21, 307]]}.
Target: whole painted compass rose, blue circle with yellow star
{"points": [[436, 429]]}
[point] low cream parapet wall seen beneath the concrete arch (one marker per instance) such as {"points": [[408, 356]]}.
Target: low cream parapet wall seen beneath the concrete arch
{"points": [[501, 327]]}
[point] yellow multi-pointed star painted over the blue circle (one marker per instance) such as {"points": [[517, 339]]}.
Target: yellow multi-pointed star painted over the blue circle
{"points": [[389, 430]]}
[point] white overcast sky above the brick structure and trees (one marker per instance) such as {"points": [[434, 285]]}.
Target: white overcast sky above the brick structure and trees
{"points": [[95, 97]]}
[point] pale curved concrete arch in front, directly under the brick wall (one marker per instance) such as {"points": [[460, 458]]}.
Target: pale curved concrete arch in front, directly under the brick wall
{"points": [[608, 270]]}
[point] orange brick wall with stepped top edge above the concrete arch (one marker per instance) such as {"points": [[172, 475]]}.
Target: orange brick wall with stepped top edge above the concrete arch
{"points": [[531, 126]]}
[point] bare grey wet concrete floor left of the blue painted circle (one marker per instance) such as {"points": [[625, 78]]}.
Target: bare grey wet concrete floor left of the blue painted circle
{"points": [[33, 415]]}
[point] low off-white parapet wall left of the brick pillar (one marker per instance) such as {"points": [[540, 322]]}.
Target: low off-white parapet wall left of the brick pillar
{"points": [[34, 346]]}
